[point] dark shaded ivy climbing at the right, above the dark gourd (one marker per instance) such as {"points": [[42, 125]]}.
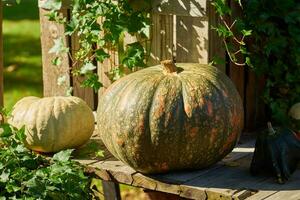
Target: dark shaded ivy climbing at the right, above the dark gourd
{"points": [[267, 35]]}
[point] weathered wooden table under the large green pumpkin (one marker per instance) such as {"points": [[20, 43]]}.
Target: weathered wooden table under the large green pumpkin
{"points": [[228, 179]]}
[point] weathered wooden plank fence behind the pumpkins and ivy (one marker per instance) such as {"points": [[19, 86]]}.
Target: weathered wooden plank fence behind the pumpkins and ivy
{"points": [[180, 29]]}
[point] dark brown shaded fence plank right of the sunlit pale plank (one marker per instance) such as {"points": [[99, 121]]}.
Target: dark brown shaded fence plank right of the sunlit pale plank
{"points": [[215, 43]]}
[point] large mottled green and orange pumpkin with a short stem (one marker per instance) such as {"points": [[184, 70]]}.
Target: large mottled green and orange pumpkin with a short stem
{"points": [[168, 117]]}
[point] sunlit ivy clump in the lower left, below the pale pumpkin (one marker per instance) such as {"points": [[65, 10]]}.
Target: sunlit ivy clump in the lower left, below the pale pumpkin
{"points": [[27, 175]]}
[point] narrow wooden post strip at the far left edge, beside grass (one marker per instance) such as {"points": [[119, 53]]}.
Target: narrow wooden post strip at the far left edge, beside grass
{"points": [[1, 57]]}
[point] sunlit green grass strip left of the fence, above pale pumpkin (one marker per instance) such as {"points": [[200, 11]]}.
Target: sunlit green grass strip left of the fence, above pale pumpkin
{"points": [[22, 52]]}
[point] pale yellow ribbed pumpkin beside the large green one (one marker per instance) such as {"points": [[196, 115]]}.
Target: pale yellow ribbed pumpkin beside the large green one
{"points": [[53, 123]]}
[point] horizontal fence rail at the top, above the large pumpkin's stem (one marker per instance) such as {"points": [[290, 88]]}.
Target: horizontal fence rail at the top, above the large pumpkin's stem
{"points": [[196, 8]]}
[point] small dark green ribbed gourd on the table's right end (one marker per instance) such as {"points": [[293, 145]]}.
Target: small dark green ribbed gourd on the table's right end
{"points": [[277, 151]]}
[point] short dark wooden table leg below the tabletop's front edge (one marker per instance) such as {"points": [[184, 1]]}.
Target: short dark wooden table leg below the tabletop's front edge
{"points": [[111, 190]]}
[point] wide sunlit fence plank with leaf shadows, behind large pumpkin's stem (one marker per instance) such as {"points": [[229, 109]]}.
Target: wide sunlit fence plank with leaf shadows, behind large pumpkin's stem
{"points": [[191, 39]]}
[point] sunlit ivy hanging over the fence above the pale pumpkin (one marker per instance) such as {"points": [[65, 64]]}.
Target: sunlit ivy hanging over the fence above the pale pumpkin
{"points": [[101, 26]]}
